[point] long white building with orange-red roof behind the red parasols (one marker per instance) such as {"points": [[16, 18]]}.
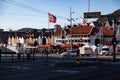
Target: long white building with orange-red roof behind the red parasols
{"points": [[73, 34]]}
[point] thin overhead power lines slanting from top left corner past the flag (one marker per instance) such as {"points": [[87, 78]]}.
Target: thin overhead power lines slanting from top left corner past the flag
{"points": [[30, 8]]}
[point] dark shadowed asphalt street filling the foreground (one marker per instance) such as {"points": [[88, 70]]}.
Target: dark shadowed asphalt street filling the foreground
{"points": [[59, 68]]}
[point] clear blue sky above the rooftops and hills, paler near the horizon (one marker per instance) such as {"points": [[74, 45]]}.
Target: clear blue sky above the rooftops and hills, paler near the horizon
{"points": [[16, 17]]}
